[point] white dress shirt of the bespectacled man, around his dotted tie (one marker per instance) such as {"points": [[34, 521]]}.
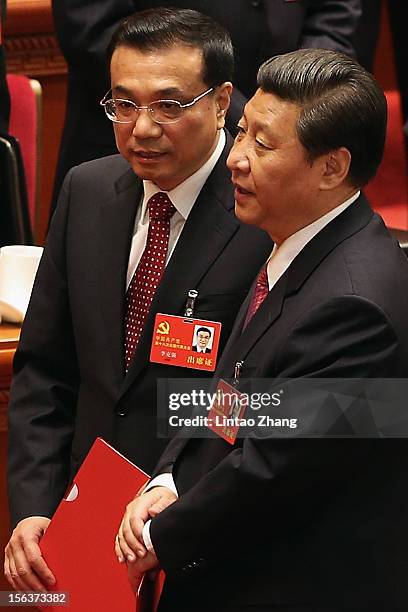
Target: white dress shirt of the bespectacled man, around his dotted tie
{"points": [[182, 197]]}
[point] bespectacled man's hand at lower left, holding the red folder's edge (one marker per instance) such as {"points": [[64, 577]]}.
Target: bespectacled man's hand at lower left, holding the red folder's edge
{"points": [[24, 566]]}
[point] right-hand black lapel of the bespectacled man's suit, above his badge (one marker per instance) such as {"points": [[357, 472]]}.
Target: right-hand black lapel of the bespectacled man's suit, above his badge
{"points": [[209, 227]]}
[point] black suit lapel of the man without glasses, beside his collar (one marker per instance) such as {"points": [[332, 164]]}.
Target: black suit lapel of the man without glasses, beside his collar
{"points": [[354, 218]]}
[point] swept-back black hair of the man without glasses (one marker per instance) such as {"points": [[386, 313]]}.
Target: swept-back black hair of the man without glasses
{"points": [[341, 106]]}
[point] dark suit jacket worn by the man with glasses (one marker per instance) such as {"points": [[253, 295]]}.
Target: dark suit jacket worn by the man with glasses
{"points": [[69, 384]]}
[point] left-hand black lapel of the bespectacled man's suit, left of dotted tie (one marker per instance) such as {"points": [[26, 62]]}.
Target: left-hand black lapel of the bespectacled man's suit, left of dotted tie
{"points": [[116, 228]]}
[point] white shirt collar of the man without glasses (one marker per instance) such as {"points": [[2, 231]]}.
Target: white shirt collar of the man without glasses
{"points": [[281, 257]]}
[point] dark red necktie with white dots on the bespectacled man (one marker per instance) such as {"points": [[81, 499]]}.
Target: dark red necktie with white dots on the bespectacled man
{"points": [[151, 266]]}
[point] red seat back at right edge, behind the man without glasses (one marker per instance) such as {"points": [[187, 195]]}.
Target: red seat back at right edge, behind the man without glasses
{"points": [[388, 191]]}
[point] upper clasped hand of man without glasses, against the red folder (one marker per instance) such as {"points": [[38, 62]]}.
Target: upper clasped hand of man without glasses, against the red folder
{"points": [[129, 542]]}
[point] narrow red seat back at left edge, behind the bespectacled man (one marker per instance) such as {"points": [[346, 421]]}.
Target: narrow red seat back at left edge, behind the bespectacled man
{"points": [[25, 125]]}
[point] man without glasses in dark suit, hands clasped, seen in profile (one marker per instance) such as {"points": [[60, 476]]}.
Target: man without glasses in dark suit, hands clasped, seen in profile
{"points": [[269, 524]]}
